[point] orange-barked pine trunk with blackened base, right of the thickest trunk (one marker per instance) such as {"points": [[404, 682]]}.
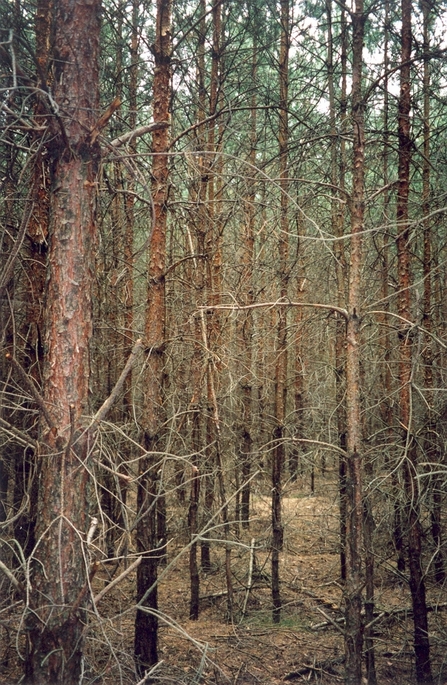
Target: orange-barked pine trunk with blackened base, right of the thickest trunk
{"points": [[146, 621]]}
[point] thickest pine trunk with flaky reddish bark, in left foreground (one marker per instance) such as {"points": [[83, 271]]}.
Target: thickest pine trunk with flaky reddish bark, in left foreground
{"points": [[59, 572]]}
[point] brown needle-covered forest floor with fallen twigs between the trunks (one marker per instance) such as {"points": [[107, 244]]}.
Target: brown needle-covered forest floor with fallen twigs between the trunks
{"points": [[306, 646]]}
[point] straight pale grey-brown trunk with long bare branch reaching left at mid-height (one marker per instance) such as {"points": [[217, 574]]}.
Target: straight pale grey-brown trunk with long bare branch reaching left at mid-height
{"points": [[354, 504]]}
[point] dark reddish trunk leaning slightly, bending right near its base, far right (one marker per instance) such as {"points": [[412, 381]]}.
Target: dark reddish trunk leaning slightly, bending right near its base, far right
{"points": [[412, 505]]}
